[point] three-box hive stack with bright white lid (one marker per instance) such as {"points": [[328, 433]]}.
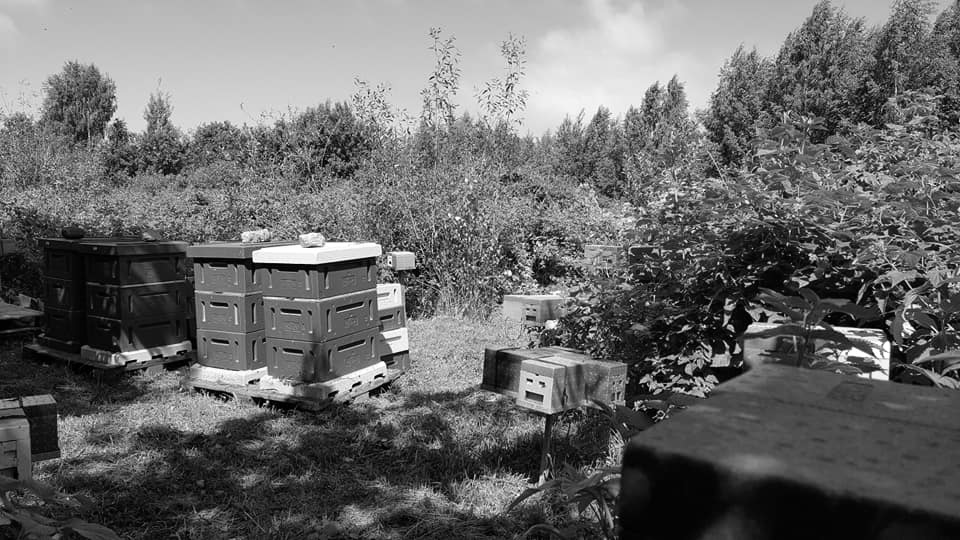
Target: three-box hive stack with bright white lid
{"points": [[320, 309]]}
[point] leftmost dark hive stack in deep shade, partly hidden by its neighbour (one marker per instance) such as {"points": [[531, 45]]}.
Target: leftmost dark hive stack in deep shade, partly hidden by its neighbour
{"points": [[64, 293]]}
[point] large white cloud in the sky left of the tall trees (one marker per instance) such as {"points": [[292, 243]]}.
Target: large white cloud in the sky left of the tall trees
{"points": [[619, 50]]}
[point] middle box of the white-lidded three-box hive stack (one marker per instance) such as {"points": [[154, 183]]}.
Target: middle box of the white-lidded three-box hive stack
{"points": [[320, 320]]}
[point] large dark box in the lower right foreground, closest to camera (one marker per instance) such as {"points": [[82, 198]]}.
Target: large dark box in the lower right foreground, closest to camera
{"points": [[786, 453]]}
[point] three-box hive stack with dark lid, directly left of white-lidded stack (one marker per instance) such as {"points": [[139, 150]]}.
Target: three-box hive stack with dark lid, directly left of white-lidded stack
{"points": [[228, 301]]}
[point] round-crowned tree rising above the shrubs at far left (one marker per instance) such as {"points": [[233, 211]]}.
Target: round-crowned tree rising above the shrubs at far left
{"points": [[79, 102]]}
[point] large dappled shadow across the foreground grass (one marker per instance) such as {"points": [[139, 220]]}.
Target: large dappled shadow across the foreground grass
{"points": [[425, 465]]}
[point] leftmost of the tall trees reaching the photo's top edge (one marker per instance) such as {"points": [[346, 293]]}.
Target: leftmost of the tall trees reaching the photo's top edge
{"points": [[819, 67]]}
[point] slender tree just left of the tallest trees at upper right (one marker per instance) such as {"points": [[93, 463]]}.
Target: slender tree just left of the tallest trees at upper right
{"points": [[736, 105]]}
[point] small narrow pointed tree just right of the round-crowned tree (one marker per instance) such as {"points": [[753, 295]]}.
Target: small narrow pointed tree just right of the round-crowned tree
{"points": [[160, 148]]}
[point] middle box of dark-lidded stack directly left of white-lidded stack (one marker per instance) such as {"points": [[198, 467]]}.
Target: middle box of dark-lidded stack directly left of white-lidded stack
{"points": [[229, 312]]}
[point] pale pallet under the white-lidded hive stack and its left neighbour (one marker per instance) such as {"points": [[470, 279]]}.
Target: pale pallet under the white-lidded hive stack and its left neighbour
{"points": [[312, 396]]}
